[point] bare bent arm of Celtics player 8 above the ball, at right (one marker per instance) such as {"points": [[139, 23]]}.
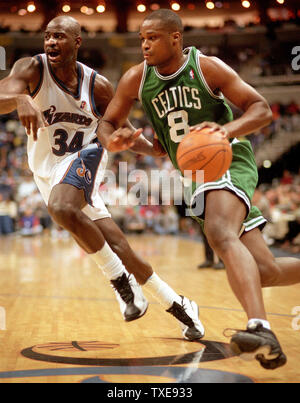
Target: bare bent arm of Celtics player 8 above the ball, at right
{"points": [[222, 79]]}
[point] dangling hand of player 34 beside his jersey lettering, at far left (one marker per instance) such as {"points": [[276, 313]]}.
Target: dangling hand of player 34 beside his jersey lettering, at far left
{"points": [[30, 115]]}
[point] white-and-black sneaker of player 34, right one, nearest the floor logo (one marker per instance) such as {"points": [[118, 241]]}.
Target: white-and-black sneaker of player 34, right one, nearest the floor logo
{"points": [[188, 315]]}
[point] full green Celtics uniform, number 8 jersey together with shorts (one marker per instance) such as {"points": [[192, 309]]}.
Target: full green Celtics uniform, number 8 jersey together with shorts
{"points": [[175, 103]]}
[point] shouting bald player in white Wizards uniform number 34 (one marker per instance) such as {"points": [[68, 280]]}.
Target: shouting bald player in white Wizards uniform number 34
{"points": [[60, 102]]}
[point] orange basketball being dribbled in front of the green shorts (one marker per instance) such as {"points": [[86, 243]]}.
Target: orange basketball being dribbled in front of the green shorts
{"points": [[201, 150]]}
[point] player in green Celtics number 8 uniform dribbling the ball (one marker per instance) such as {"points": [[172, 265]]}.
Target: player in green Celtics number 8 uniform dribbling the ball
{"points": [[181, 90]]}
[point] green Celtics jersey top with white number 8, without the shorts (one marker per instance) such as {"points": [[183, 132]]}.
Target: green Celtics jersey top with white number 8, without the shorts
{"points": [[176, 102]]}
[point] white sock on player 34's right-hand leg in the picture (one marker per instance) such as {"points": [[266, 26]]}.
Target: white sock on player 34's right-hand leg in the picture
{"points": [[161, 291]]}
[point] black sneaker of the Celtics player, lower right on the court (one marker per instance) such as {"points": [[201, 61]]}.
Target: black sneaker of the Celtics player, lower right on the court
{"points": [[258, 343]]}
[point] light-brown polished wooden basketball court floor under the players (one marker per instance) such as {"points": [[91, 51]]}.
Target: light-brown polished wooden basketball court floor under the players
{"points": [[60, 321]]}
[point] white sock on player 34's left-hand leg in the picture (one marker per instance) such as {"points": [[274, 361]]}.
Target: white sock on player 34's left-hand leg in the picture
{"points": [[109, 262]]}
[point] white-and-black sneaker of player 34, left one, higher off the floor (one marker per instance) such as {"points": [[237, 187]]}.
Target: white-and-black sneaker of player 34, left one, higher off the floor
{"points": [[129, 294]]}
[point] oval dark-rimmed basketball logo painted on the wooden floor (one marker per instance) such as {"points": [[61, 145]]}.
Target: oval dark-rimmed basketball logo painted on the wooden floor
{"points": [[99, 353]]}
